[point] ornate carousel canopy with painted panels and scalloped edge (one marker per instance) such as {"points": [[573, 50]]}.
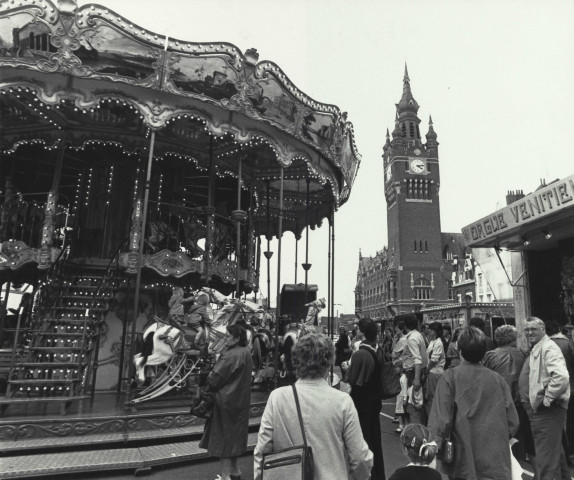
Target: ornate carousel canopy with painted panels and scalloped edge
{"points": [[89, 80]]}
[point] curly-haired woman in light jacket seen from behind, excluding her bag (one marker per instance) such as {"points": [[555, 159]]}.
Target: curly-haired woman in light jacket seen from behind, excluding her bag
{"points": [[329, 417]]}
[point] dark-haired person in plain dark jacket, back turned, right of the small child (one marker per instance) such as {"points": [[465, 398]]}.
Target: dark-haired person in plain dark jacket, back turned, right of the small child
{"points": [[480, 404]]}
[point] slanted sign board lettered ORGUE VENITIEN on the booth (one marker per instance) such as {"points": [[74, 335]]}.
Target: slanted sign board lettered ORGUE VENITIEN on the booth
{"points": [[552, 198]]}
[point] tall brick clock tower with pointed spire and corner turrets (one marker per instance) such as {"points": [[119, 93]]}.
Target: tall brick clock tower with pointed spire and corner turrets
{"points": [[416, 276]]}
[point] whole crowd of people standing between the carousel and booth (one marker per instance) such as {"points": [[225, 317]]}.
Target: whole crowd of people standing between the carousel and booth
{"points": [[460, 386]]}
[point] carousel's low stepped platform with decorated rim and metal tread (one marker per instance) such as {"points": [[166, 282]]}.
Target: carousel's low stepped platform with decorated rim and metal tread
{"points": [[104, 436]]}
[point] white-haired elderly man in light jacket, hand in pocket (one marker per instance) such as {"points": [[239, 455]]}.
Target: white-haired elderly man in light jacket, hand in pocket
{"points": [[548, 395]]}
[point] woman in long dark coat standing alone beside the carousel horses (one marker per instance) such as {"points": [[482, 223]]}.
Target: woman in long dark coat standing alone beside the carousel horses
{"points": [[225, 434]]}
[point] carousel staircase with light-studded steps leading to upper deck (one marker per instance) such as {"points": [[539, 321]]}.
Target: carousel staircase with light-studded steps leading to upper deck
{"points": [[55, 353]]}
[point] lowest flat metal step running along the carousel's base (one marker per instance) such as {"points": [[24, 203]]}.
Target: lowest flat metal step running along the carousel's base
{"points": [[136, 459]]}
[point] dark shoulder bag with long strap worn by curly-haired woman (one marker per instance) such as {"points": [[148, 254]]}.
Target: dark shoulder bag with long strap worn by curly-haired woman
{"points": [[294, 463]]}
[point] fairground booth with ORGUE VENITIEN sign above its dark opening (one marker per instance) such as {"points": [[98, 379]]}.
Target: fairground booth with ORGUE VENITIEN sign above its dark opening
{"points": [[538, 230]]}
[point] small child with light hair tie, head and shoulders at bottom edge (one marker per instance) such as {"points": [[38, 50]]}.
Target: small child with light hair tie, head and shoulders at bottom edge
{"points": [[420, 451]]}
